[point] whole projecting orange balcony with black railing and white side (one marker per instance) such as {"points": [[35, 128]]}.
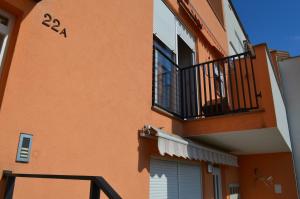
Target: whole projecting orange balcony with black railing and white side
{"points": [[233, 103]]}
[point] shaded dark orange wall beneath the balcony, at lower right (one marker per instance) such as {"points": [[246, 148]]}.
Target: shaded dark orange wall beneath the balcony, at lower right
{"points": [[279, 166]]}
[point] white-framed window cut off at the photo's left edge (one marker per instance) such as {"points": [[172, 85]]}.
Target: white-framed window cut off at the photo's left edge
{"points": [[6, 24]]}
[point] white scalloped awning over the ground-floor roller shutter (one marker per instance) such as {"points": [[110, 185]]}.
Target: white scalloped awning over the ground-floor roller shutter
{"points": [[175, 145]]}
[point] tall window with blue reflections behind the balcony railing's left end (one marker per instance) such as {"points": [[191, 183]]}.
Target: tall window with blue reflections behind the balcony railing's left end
{"points": [[166, 76]]}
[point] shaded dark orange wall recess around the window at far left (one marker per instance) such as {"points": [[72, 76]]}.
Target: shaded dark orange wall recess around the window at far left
{"points": [[13, 8]]}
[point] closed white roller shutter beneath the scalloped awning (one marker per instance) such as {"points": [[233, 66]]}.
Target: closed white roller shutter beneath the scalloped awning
{"points": [[174, 180]]}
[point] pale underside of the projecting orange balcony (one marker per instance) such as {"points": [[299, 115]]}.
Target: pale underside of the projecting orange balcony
{"points": [[255, 141]]}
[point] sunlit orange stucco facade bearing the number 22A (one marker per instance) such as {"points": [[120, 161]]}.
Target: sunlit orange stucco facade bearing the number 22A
{"points": [[84, 97]]}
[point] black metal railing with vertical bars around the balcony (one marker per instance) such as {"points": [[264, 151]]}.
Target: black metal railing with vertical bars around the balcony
{"points": [[218, 87]]}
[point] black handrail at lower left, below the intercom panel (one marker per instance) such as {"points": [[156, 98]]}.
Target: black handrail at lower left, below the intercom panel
{"points": [[98, 183]]}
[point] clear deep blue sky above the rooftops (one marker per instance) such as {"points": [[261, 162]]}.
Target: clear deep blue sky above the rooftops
{"points": [[276, 22]]}
